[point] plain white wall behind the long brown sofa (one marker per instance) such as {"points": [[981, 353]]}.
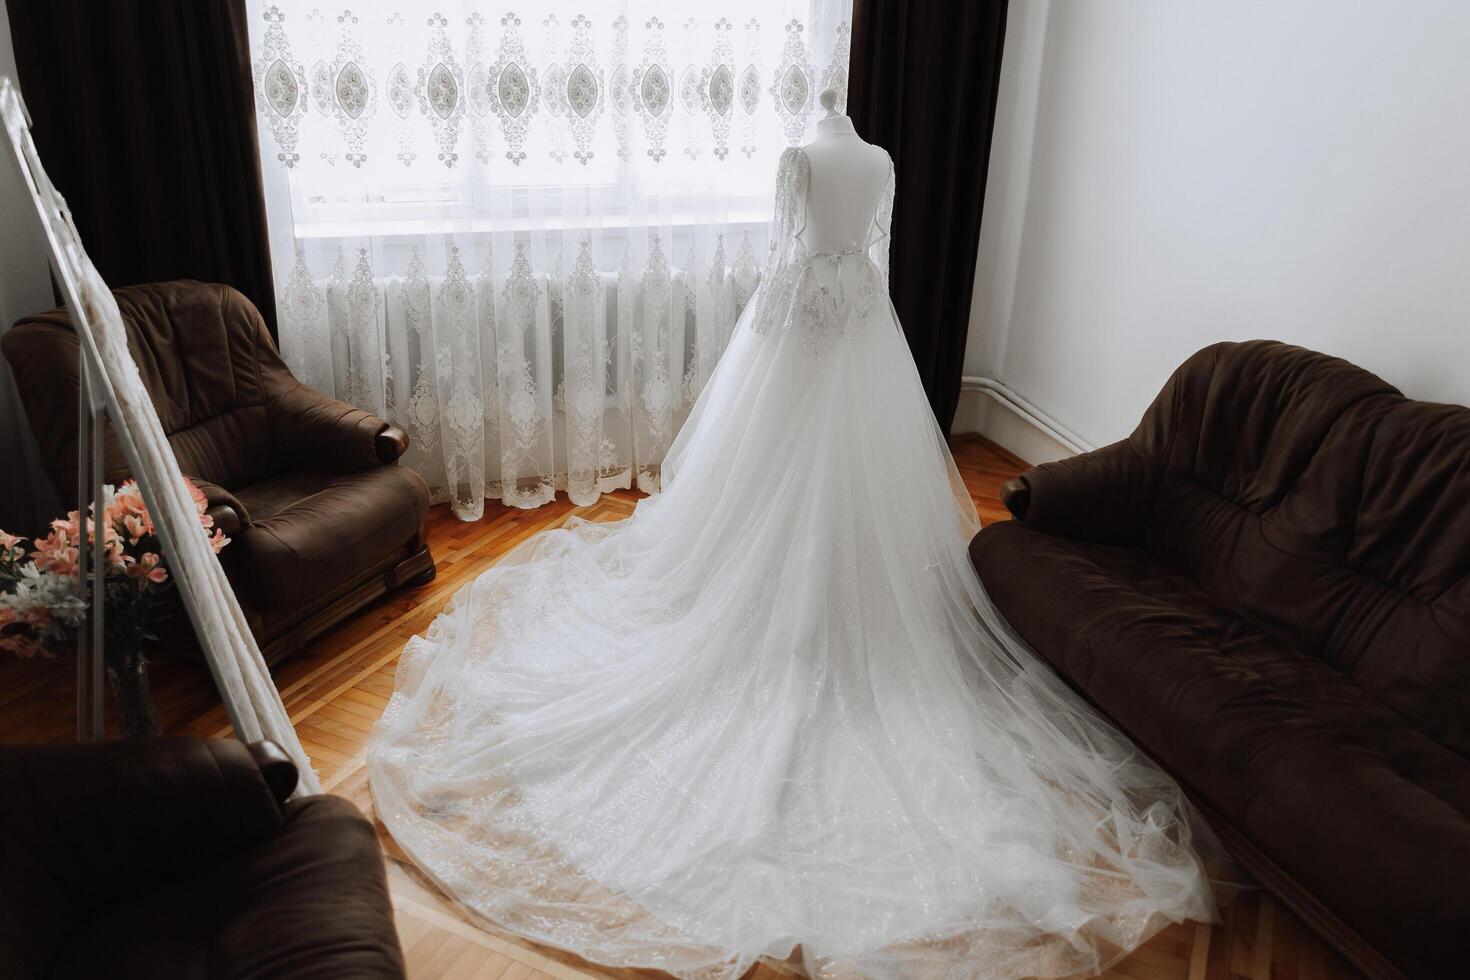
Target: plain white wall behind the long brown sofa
{"points": [[1168, 174]]}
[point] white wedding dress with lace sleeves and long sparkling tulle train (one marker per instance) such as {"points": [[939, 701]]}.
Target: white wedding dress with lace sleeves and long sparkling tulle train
{"points": [[775, 707]]}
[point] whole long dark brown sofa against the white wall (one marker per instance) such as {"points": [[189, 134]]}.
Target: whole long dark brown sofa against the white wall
{"points": [[1268, 587]]}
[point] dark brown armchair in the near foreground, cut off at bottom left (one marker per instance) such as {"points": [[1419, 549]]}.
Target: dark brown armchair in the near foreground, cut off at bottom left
{"points": [[179, 859]]}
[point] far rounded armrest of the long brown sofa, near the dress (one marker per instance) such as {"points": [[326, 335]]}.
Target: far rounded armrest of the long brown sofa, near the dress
{"points": [[1105, 496]]}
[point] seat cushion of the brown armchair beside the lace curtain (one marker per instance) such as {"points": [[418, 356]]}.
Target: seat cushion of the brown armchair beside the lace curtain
{"points": [[312, 533]]}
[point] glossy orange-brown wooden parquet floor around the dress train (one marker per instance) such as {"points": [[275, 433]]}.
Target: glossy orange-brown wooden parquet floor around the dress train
{"points": [[339, 687]]}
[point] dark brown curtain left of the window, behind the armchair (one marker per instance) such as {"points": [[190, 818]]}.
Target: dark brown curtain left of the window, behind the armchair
{"points": [[143, 114]]}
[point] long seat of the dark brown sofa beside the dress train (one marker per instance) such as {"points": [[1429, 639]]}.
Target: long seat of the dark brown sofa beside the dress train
{"points": [[1338, 790]]}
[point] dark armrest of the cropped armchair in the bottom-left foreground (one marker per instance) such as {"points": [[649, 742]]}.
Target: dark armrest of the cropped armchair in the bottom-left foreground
{"points": [[89, 825]]}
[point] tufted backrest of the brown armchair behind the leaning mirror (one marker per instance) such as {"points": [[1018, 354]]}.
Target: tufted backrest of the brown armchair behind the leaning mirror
{"points": [[207, 359]]}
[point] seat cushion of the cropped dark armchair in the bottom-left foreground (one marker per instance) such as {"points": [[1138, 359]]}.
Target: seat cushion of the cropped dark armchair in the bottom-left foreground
{"points": [[311, 903]]}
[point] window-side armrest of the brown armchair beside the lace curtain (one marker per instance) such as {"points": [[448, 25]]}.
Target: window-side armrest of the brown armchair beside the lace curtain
{"points": [[321, 433]]}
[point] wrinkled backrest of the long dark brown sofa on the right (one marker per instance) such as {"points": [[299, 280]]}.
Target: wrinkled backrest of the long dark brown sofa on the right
{"points": [[1318, 502]]}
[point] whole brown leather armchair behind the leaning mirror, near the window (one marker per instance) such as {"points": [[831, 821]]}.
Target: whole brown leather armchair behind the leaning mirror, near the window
{"points": [[323, 521]]}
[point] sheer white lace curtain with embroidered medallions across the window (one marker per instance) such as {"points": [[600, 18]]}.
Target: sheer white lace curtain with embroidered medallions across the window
{"points": [[527, 233]]}
